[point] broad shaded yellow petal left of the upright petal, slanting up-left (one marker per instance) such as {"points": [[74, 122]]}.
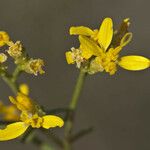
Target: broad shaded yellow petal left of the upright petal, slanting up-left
{"points": [[89, 47]]}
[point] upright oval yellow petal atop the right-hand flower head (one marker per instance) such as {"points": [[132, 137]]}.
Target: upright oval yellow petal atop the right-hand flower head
{"points": [[105, 33]]}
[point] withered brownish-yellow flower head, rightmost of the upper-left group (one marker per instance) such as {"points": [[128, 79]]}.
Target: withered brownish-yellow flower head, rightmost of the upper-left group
{"points": [[34, 66]]}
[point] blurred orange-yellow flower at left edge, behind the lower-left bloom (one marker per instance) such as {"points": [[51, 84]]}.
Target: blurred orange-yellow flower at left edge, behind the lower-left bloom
{"points": [[9, 113]]}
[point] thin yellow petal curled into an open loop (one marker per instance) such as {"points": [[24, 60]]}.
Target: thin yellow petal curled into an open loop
{"points": [[126, 39]]}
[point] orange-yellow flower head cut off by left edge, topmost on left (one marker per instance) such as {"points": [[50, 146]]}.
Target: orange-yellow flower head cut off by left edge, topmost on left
{"points": [[4, 38]]}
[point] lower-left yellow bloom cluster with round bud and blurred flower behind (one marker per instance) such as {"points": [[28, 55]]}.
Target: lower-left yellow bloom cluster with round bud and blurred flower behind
{"points": [[26, 112]]}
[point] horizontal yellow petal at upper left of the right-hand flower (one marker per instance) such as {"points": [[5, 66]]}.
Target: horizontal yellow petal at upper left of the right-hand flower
{"points": [[81, 30]]}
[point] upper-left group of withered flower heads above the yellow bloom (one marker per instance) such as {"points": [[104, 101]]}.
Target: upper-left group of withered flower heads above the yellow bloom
{"points": [[21, 58]]}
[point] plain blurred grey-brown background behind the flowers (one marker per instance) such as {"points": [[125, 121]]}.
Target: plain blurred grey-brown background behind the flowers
{"points": [[116, 106]]}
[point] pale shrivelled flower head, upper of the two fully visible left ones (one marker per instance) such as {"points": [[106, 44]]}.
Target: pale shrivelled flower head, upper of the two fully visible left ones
{"points": [[15, 49]]}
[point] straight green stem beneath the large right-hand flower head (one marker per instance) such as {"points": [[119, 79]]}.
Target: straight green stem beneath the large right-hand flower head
{"points": [[72, 107]]}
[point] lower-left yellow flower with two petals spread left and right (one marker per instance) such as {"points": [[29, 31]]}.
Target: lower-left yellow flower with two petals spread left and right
{"points": [[28, 117]]}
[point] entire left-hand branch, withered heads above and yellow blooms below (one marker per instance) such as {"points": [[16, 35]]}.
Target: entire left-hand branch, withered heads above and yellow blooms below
{"points": [[23, 111]]}
